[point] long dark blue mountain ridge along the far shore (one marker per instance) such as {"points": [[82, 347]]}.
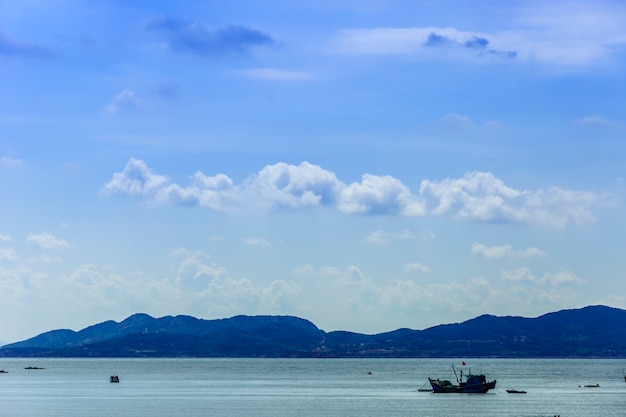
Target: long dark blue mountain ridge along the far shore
{"points": [[589, 332]]}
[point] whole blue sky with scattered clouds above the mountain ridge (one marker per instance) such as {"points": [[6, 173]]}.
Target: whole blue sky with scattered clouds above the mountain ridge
{"points": [[367, 165]]}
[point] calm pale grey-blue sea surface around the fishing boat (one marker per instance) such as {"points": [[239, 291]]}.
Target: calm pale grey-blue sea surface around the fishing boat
{"points": [[305, 387]]}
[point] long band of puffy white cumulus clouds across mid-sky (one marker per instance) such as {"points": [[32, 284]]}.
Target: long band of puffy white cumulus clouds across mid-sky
{"points": [[475, 196]]}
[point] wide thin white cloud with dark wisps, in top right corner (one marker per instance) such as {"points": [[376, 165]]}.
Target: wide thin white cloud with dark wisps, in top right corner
{"points": [[563, 34]]}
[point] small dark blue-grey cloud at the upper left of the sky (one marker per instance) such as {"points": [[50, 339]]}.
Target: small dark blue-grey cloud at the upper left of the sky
{"points": [[197, 38]]}
